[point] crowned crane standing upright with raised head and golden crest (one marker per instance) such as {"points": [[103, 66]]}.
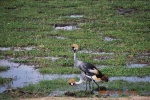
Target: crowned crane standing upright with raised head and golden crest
{"points": [[90, 71]]}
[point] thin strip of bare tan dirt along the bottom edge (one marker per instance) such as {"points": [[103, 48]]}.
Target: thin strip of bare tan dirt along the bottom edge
{"points": [[95, 98]]}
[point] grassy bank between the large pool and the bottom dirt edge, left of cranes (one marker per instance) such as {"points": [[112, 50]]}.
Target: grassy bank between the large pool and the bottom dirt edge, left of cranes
{"points": [[43, 88]]}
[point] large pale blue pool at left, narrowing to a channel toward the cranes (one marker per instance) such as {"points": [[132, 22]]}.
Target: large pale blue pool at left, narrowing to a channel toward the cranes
{"points": [[23, 75]]}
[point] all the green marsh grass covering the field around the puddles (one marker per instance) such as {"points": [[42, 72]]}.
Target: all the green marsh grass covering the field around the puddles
{"points": [[27, 23]]}
